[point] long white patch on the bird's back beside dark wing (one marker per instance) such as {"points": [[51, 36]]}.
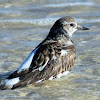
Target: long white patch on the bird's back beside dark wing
{"points": [[26, 64]]}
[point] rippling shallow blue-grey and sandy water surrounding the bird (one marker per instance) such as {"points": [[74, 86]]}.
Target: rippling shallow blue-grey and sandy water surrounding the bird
{"points": [[25, 23]]}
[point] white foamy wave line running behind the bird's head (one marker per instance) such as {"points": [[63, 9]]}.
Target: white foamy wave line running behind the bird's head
{"points": [[45, 21]]}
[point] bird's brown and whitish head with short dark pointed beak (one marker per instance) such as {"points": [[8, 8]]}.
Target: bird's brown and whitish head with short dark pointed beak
{"points": [[67, 26]]}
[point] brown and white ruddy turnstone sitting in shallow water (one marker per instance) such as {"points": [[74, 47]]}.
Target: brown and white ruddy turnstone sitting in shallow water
{"points": [[52, 58]]}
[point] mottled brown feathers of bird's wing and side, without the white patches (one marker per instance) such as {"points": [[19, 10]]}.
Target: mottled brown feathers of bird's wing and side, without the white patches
{"points": [[53, 67]]}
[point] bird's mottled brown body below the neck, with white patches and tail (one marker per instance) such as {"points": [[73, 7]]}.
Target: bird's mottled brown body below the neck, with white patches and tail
{"points": [[47, 61]]}
